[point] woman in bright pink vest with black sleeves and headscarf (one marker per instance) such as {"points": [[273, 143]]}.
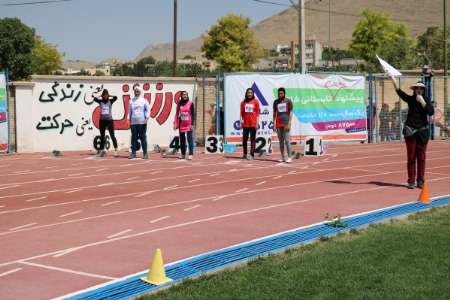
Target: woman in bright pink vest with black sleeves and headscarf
{"points": [[185, 122]]}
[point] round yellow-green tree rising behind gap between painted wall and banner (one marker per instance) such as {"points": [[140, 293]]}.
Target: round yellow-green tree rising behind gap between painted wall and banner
{"points": [[230, 42]]}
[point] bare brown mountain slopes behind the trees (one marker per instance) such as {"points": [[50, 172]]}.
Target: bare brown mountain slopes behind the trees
{"points": [[320, 15]]}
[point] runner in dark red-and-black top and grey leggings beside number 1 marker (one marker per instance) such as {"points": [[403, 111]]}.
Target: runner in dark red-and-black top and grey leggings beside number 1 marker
{"points": [[282, 117]]}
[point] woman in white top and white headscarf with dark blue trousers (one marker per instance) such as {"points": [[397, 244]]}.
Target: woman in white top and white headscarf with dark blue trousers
{"points": [[139, 113]]}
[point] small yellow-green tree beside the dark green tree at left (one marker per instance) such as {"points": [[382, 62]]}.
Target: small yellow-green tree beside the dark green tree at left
{"points": [[46, 59]]}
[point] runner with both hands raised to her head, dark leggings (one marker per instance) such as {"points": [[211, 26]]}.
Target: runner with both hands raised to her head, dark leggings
{"points": [[106, 121]]}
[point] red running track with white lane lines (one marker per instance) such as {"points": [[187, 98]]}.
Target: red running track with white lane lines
{"points": [[76, 221]]}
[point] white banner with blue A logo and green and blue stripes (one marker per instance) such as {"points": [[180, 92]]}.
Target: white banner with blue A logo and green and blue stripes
{"points": [[330, 106]]}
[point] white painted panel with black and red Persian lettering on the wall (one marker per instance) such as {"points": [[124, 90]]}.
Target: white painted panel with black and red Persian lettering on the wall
{"points": [[65, 116]]}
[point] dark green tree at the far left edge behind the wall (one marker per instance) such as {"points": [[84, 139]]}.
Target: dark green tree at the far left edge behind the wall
{"points": [[16, 45]]}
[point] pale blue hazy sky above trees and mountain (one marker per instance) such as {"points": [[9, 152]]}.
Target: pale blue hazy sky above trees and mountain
{"points": [[100, 29]]}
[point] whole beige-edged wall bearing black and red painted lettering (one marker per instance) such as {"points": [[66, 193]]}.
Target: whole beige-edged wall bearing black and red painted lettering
{"points": [[68, 100]]}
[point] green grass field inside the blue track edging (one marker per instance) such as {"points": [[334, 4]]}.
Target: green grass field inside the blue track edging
{"points": [[403, 259]]}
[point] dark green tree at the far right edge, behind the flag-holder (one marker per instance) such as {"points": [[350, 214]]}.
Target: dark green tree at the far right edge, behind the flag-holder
{"points": [[430, 47]]}
